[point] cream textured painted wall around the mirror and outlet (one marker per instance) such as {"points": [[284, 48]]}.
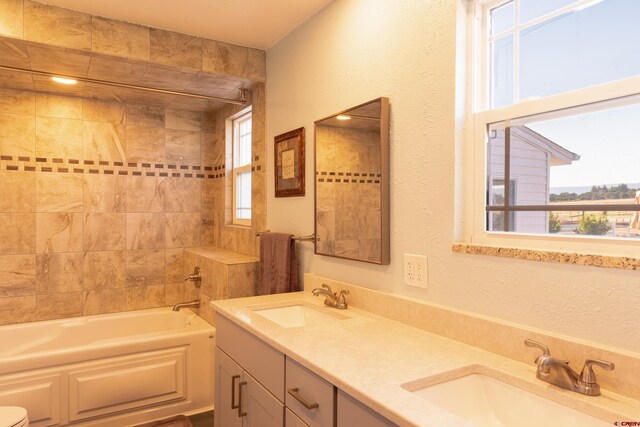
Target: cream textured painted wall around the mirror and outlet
{"points": [[357, 50]]}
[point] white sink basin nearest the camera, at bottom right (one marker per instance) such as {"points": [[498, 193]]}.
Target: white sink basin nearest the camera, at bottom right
{"points": [[487, 402]]}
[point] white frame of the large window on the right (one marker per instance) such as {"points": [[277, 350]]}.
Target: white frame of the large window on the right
{"points": [[479, 116]]}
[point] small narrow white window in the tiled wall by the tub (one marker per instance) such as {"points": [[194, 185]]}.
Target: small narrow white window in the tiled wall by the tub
{"points": [[241, 170]]}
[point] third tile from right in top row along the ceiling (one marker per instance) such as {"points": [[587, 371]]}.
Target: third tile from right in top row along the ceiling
{"points": [[178, 49]]}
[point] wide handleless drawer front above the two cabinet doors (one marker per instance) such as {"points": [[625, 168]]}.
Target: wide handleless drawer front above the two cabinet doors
{"points": [[262, 361]]}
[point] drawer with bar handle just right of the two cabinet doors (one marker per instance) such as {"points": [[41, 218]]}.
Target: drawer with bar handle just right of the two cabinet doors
{"points": [[308, 396]]}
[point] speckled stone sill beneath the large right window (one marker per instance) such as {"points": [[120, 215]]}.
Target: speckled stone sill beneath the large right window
{"points": [[626, 263]]}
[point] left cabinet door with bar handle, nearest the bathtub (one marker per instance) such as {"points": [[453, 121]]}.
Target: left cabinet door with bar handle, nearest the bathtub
{"points": [[228, 378]]}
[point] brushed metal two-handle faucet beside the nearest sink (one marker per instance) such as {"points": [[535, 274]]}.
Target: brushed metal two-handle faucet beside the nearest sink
{"points": [[558, 372]]}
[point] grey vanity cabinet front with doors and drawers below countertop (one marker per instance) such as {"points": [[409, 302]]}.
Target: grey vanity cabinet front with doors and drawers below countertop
{"points": [[257, 386]]}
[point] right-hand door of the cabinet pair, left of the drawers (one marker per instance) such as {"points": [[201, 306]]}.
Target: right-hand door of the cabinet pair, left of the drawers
{"points": [[261, 407]]}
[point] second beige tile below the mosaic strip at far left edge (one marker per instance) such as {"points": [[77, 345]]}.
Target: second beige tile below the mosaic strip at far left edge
{"points": [[18, 233]]}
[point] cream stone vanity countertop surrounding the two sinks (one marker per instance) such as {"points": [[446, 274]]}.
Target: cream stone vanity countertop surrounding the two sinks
{"points": [[371, 358]]}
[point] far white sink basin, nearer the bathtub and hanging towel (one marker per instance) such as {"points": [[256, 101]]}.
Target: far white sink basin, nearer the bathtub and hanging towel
{"points": [[297, 314]]}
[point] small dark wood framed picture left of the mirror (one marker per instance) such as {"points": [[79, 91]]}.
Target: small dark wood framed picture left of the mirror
{"points": [[289, 163]]}
